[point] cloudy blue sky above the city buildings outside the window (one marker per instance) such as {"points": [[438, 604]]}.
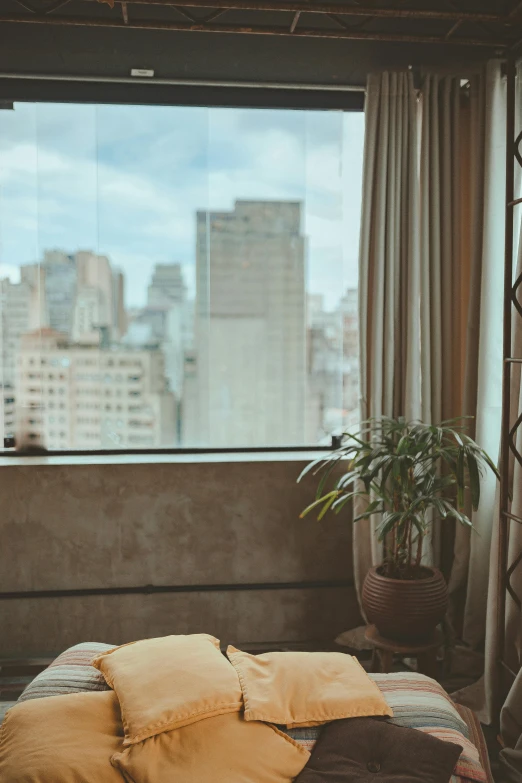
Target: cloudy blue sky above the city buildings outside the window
{"points": [[127, 181]]}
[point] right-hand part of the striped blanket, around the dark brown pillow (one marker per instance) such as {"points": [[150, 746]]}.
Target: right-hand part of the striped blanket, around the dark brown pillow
{"points": [[422, 704]]}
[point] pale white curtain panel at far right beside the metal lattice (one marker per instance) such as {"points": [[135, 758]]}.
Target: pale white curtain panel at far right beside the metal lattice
{"points": [[487, 380]]}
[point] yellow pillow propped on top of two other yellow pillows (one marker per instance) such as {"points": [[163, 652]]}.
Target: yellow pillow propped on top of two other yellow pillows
{"points": [[166, 683]]}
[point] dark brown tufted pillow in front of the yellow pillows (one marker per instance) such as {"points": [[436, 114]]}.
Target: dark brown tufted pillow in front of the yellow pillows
{"points": [[364, 750]]}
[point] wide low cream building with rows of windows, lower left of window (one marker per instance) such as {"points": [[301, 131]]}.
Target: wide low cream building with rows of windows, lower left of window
{"points": [[74, 397]]}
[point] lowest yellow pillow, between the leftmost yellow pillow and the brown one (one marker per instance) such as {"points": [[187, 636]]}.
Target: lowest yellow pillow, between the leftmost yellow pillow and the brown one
{"points": [[223, 749]]}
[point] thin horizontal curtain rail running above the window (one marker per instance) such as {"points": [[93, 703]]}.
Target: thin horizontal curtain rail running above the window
{"points": [[184, 82]]}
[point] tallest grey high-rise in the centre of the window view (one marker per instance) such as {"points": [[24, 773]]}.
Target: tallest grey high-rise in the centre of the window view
{"points": [[245, 383]]}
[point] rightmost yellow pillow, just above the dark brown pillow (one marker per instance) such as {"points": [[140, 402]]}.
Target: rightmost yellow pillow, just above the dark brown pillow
{"points": [[305, 689]]}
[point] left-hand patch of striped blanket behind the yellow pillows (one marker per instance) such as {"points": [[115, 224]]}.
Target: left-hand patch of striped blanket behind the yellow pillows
{"points": [[71, 672]]}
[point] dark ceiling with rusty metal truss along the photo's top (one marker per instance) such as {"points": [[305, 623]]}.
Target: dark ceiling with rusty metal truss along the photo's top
{"points": [[494, 26]]}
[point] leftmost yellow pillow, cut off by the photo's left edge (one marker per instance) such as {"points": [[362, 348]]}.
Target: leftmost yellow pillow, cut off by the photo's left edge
{"points": [[63, 739]]}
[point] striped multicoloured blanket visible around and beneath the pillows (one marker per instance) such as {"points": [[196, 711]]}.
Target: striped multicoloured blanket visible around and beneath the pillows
{"points": [[417, 702]]}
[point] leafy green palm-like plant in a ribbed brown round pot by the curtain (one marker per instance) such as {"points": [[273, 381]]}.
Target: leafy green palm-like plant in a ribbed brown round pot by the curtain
{"points": [[409, 474]]}
